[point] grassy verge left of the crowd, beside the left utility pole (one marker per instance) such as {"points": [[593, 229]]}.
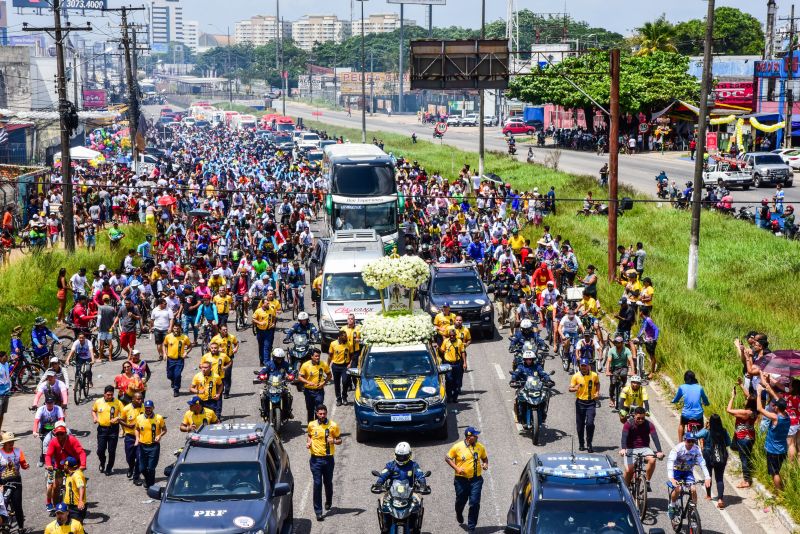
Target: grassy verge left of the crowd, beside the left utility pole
{"points": [[28, 285]]}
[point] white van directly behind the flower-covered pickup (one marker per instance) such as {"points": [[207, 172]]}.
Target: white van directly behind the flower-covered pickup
{"points": [[343, 290]]}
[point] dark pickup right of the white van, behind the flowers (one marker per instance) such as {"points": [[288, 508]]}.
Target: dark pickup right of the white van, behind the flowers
{"points": [[460, 286]]}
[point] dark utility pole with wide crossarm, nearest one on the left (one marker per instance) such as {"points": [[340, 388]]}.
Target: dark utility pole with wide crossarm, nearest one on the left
{"points": [[69, 118]]}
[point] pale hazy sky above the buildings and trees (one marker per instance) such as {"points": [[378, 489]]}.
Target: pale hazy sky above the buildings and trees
{"points": [[617, 15]]}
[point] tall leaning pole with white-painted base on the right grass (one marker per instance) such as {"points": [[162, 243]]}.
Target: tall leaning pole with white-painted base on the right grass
{"points": [[702, 125]]}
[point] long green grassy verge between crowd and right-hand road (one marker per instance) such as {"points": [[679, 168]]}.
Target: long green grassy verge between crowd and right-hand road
{"points": [[747, 278]]}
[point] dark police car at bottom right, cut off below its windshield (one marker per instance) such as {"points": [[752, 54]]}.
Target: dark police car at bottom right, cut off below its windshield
{"points": [[563, 492]]}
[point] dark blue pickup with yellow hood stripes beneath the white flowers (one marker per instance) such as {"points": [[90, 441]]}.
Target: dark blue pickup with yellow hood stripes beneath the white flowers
{"points": [[400, 388]]}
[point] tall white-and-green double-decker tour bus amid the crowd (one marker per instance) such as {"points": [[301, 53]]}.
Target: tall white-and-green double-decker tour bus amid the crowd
{"points": [[362, 192]]}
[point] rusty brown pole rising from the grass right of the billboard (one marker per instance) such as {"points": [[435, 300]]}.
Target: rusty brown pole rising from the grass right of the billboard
{"points": [[613, 164]]}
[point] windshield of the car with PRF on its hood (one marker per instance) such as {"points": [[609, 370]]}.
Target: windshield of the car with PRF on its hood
{"points": [[222, 481]]}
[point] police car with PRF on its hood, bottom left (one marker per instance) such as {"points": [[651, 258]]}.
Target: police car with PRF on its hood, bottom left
{"points": [[228, 479]]}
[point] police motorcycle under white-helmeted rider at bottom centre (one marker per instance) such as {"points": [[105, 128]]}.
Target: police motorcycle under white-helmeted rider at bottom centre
{"points": [[402, 506]]}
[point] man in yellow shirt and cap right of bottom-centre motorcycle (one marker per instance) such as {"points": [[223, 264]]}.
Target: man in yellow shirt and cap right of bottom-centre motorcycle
{"points": [[468, 459]]}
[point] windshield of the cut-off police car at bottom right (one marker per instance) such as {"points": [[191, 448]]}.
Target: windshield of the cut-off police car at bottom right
{"points": [[568, 517]]}
